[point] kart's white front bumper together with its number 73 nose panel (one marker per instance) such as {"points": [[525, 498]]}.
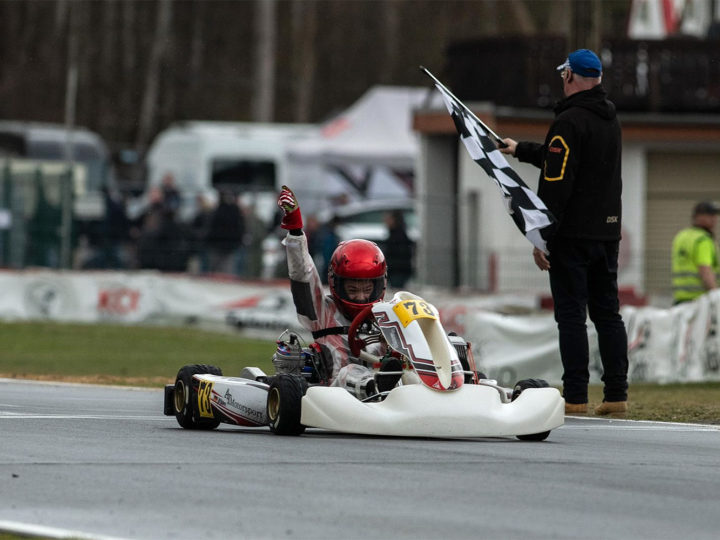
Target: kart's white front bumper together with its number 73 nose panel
{"points": [[442, 406]]}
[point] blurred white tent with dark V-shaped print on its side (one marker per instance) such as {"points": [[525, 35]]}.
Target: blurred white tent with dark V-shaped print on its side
{"points": [[365, 152]]}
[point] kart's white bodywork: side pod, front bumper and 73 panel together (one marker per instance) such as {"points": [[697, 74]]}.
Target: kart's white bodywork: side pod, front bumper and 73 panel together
{"points": [[431, 400]]}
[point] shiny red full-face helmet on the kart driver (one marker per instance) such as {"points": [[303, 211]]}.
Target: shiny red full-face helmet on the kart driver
{"points": [[355, 260]]}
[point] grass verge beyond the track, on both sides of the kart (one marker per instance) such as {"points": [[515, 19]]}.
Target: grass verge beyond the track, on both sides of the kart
{"points": [[151, 356]]}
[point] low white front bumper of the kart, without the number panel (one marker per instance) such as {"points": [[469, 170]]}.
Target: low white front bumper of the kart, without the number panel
{"points": [[418, 411]]}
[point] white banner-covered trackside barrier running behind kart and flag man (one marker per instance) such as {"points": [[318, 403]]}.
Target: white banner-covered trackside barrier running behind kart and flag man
{"points": [[678, 344]]}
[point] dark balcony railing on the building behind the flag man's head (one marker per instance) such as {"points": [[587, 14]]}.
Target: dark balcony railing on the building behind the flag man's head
{"points": [[678, 75]]}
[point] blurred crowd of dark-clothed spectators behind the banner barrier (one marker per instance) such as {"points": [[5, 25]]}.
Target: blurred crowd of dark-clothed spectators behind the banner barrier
{"points": [[225, 236]]}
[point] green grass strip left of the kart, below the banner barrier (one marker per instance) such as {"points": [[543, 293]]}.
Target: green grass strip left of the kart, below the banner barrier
{"points": [[121, 354]]}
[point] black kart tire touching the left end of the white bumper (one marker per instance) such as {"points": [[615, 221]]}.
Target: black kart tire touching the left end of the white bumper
{"points": [[284, 403]]}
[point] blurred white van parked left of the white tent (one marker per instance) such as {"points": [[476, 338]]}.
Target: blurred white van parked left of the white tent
{"points": [[203, 157]]}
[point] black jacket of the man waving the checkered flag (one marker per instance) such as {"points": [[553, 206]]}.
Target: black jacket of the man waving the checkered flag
{"points": [[581, 182]]}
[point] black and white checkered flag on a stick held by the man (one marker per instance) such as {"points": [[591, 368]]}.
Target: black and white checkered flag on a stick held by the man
{"points": [[528, 212]]}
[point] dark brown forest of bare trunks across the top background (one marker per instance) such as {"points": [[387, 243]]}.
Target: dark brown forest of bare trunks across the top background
{"points": [[129, 68]]}
